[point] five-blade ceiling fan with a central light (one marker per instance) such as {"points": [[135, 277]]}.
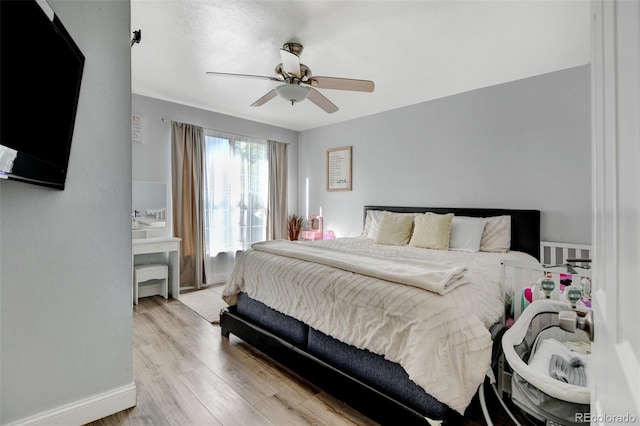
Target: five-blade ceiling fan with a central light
{"points": [[300, 84]]}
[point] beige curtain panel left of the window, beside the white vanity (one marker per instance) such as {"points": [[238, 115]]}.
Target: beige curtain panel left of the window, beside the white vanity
{"points": [[187, 148]]}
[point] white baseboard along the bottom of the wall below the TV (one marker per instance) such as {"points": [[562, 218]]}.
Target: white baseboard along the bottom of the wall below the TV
{"points": [[86, 410]]}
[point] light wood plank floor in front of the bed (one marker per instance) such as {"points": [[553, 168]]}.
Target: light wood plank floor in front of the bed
{"points": [[187, 374]]}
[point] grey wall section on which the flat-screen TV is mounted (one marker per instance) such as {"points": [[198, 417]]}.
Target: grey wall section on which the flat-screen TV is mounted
{"points": [[65, 266]]}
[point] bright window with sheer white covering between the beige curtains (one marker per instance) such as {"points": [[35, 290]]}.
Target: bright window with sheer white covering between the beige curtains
{"points": [[236, 189]]}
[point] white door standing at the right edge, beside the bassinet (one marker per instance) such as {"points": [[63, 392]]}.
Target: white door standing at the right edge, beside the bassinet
{"points": [[616, 213]]}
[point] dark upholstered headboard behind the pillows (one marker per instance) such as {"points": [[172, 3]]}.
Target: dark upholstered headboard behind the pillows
{"points": [[525, 224]]}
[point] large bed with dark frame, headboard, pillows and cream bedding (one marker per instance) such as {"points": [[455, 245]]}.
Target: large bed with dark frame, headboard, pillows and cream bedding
{"points": [[391, 322]]}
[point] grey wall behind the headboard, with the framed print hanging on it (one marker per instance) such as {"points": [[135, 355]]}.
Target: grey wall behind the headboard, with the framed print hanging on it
{"points": [[524, 144]]}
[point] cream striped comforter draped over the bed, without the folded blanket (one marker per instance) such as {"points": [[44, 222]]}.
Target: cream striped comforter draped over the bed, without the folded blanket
{"points": [[442, 341]]}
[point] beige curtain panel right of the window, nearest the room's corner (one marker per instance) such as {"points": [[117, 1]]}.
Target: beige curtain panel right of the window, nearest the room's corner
{"points": [[277, 209]]}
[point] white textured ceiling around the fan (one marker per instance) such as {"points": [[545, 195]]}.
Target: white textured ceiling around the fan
{"points": [[414, 51]]}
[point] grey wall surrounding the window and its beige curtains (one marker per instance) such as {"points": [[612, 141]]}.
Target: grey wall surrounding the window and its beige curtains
{"points": [[152, 156]]}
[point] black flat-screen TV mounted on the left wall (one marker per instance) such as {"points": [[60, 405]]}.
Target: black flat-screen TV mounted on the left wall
{"points": [[40, 76]]}
